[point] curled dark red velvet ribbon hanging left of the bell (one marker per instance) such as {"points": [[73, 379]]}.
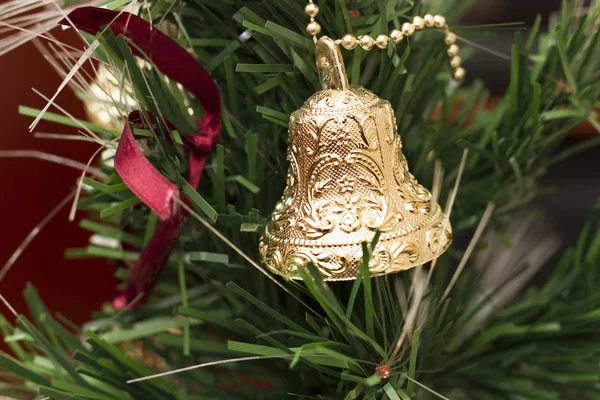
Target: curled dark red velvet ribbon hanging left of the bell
{"points": [[154, 189]]}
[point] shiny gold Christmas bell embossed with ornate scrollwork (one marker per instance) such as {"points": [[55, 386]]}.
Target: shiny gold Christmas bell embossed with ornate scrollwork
{"points": [[348, 179]]}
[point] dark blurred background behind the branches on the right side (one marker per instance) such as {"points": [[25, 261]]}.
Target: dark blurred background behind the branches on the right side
{"points": [[577, 180]]}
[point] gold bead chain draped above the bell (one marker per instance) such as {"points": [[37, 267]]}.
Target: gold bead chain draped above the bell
{"points": [[366, 42]]}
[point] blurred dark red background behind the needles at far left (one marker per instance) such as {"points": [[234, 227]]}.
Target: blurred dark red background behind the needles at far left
{"points": [[32, 188]]}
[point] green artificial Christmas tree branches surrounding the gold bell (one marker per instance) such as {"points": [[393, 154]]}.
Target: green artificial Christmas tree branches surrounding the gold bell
{"points": [[186, 203]]}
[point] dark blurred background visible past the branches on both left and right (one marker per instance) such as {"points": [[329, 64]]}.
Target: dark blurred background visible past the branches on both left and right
{"points": [[32, 188]]}
